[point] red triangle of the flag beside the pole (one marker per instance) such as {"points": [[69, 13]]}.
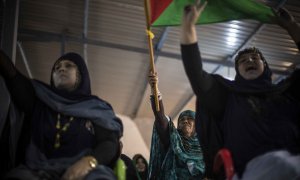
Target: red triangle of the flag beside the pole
{"points": [[157, 7]]}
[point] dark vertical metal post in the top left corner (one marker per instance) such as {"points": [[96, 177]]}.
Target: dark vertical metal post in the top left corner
{"points": [[9, 28]]}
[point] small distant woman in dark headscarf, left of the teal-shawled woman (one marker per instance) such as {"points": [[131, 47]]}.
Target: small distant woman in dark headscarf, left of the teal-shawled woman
{"points": [[141, 166]]}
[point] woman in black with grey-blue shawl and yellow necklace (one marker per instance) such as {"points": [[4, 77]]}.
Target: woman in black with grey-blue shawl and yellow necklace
{"points": [[73, 133]]}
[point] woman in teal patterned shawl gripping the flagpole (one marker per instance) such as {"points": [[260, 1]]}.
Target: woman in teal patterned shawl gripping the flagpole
{"points": [[175, 153]]}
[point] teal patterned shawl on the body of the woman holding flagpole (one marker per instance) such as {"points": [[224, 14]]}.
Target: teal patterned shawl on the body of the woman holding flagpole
{"points": [[182, 160]]}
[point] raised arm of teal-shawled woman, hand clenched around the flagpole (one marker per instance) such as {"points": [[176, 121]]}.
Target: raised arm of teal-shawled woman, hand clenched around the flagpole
{"points": [[161, 120]]}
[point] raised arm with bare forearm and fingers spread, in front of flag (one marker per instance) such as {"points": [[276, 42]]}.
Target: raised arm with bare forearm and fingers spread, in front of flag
{"points": [[208, 90]]}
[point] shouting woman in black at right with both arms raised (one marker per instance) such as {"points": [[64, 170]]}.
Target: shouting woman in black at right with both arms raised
{"points": [[250, 116]]}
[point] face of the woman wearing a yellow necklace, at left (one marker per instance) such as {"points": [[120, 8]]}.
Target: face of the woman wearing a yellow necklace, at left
{"points": [[65, 75]]}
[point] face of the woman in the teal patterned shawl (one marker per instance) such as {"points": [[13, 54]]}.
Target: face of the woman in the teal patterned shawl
{"points": [[187, 126]]}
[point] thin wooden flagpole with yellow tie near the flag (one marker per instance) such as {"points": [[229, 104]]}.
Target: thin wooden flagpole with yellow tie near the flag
{"points": [[150, 36]]}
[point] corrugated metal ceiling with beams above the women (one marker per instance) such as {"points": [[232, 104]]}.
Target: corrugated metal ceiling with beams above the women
{"points": [[110, 35]]}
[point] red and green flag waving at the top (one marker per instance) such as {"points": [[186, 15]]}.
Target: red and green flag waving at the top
{"points": [[169, 12]]}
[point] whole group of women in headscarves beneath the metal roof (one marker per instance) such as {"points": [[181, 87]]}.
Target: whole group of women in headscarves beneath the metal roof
{"points": [[65, 132]]}
